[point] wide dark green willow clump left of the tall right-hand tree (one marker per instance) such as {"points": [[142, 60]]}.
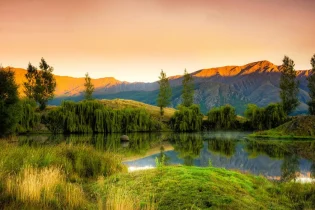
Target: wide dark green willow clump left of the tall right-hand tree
{"points": [[265, 118]]}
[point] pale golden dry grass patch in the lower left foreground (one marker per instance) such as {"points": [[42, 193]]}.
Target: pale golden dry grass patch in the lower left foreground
{"points": [[44, 186]]}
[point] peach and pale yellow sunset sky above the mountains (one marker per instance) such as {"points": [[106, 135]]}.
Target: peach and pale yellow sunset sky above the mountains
{"points": [[132, 40]]}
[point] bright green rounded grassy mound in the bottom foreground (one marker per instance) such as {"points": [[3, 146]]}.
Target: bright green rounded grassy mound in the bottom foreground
{"points": [[200, 188]]}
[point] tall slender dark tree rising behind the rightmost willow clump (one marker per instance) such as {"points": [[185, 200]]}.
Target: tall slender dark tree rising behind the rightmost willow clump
{"points": [[289, 86]]}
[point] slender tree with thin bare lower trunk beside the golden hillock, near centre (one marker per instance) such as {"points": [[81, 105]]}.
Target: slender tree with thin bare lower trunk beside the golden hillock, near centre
{"points": [[165, 93]]}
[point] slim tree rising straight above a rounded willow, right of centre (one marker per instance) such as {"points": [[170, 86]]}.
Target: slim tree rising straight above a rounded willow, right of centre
{"points": [[188, 90]]}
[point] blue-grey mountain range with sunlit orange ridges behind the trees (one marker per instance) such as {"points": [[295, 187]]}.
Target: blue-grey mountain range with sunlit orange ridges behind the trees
{"points": [[256, 82]]}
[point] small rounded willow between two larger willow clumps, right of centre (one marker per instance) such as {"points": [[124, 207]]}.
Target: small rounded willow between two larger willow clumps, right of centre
{"points": [[223, 117]]}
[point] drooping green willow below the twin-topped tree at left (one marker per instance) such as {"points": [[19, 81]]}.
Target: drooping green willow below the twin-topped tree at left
{"points": [[29, 118]]}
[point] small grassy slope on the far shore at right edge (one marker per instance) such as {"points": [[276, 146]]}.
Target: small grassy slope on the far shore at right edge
{"points": [[298, 127]]}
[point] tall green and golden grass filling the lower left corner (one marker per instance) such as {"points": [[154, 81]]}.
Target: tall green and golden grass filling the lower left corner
{"points": [[55, 177]]}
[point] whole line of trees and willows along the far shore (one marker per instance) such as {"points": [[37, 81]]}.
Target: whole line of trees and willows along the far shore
{"points": [[23, 115]]}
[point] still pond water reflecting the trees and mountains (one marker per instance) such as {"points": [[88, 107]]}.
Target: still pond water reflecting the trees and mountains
{"points": [[274, 159]]}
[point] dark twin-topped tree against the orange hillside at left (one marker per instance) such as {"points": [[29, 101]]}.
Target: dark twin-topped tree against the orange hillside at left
{"points": [[40, 84]]}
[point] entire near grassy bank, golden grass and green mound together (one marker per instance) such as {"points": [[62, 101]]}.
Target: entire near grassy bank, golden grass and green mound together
{"points": [[68, 176]]}
